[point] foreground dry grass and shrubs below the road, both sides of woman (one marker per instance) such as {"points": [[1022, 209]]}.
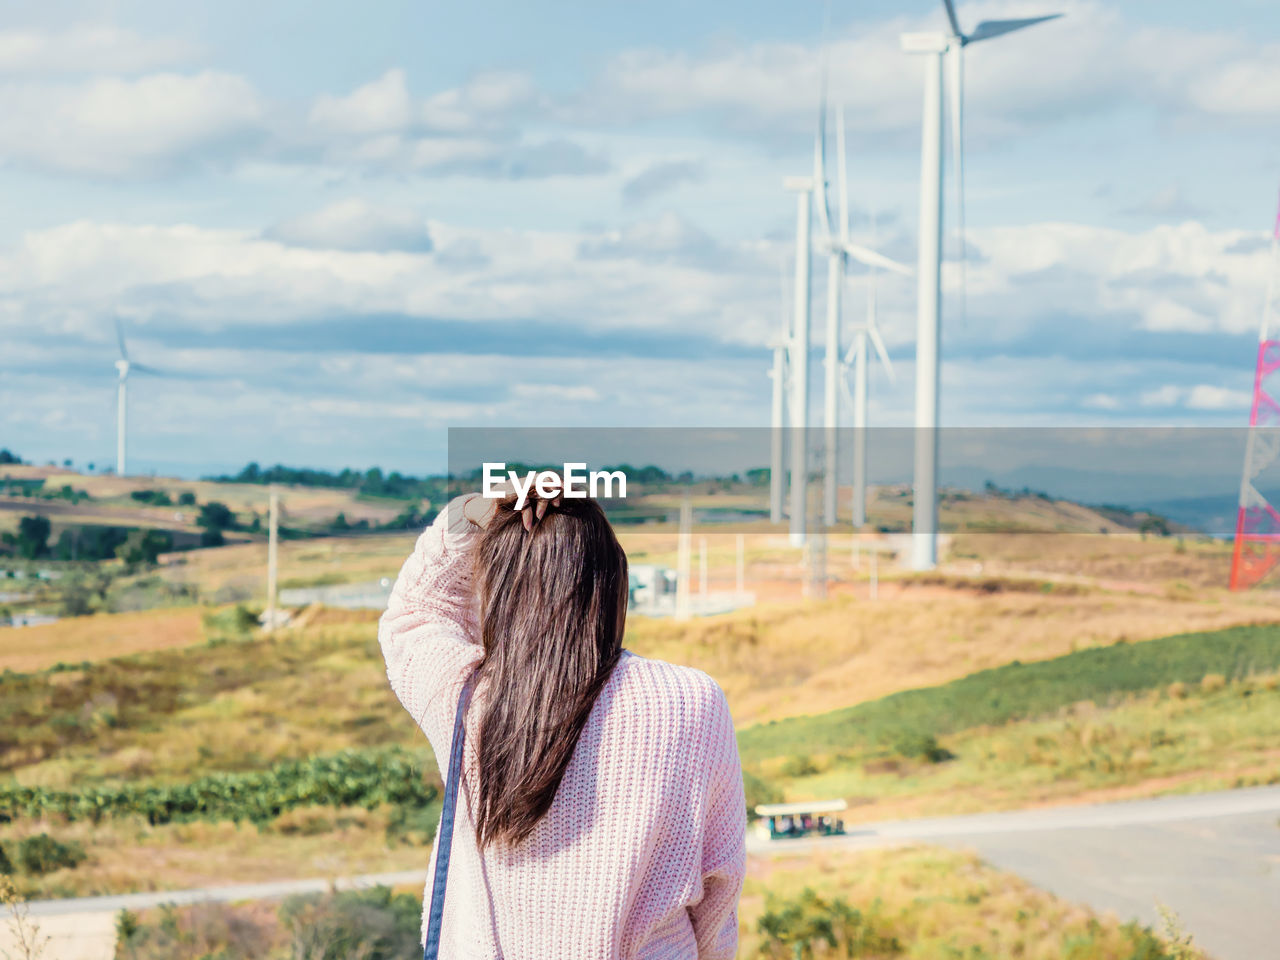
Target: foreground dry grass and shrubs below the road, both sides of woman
{"points": [[915, 903]]}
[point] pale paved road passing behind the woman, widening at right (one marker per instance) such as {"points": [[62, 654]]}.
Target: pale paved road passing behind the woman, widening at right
{"points": [[1214, 858]]}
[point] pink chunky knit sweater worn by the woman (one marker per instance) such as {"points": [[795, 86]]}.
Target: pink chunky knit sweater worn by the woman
{"points": [[643, 852]]}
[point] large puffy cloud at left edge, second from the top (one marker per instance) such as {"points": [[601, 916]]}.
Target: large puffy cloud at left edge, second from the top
{"points": [[112, 127]]}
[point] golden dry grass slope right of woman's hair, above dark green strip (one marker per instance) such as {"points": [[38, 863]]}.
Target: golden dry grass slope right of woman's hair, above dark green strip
{"points": [[788, 660]]}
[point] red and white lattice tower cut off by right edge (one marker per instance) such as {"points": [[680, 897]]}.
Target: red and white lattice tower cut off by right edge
{"points": [[1258, 523]]}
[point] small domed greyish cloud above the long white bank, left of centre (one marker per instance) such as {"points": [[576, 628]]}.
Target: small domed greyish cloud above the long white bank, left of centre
{"points": [[355, 226]]}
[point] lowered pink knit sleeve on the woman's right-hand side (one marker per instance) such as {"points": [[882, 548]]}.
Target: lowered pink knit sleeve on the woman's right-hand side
{"points": [[715, 916]]}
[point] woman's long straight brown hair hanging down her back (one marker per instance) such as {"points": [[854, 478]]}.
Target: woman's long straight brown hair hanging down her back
{"points": [[554, 606]]}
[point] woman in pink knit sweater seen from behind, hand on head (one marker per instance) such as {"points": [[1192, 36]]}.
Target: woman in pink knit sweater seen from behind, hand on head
{"points": [[601, 812]]}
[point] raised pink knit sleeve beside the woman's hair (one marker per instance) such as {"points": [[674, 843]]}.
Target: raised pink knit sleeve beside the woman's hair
{"points": [[429, 634]]}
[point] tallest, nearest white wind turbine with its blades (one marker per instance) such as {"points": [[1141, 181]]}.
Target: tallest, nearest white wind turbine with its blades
{"points": [[935, 48]]}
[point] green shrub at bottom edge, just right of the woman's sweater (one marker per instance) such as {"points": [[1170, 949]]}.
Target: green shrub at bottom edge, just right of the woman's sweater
{"points": [[811, 926]]}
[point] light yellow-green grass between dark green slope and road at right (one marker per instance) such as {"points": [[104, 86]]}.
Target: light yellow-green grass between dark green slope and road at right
{"points": [[1183, 739]]}
